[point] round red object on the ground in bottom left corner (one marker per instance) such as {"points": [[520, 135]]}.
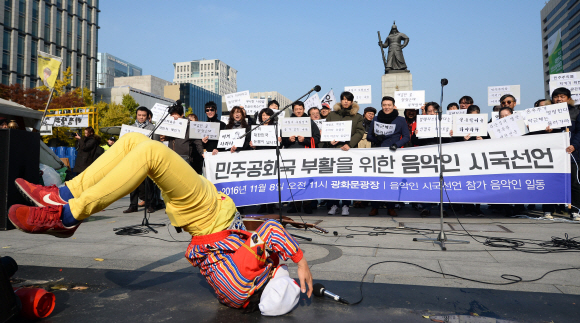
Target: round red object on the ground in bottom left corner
{"points": [[36, 302]]}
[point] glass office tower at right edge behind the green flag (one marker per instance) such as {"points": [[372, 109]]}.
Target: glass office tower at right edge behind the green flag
{"points": [[561, 16]]}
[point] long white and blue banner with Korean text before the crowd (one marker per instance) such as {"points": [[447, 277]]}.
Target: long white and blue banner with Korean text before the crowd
{"points": [[522, 170]]}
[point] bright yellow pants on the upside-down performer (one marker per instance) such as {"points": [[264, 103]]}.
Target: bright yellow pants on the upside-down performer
{"points": [[192, 202]]}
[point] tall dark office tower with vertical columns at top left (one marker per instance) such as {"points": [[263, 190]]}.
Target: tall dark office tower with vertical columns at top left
{"points": [[63, 28]]}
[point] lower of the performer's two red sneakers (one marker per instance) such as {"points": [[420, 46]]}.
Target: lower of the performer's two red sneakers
{"points": [[40, 220]]}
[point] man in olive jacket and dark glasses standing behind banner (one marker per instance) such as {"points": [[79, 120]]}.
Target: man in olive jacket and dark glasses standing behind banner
{"points": [[345, 110]]}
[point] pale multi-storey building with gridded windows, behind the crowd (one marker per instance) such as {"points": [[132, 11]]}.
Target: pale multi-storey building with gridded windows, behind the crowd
{"points": [[212, 75]]}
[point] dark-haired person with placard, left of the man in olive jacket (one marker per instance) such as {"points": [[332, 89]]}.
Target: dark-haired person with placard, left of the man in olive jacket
{"points": [[301, 142]]}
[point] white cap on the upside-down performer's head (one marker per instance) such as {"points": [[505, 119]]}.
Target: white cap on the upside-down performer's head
{"points": [[281, 294]]}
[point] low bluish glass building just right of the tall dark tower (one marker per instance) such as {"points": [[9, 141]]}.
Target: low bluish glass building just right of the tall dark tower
{"points": [[109, 67]]}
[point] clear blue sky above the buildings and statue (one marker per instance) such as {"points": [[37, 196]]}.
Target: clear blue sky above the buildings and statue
{"points": [[291, 46]]}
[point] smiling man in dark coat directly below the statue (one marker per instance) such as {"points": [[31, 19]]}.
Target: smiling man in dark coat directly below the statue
{"points": [[393, 138]]}
